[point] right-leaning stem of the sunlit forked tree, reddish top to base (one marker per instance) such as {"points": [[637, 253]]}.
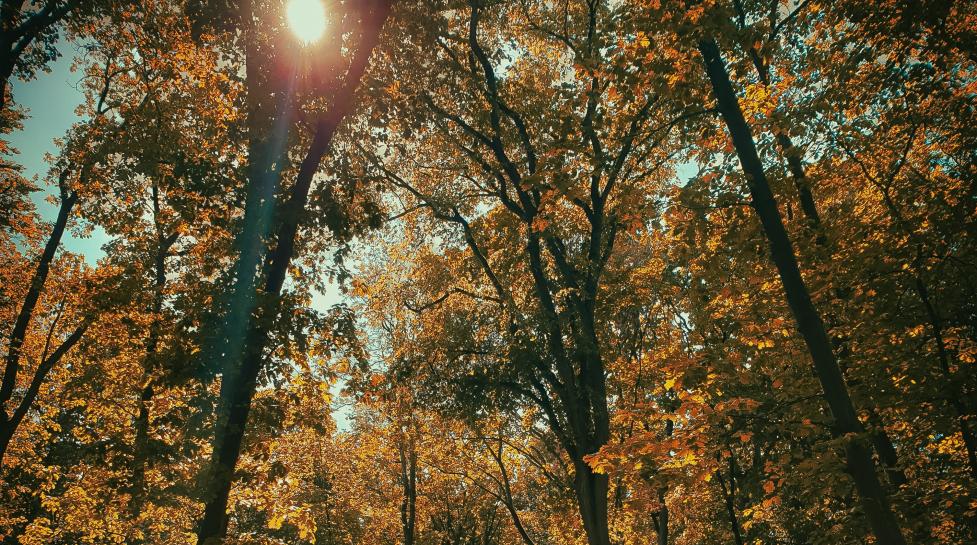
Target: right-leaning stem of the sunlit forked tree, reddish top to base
{"points": [[240, 375]]}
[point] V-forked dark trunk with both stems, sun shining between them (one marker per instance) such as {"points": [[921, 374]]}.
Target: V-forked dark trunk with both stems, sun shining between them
{"points": [[253, 311]]}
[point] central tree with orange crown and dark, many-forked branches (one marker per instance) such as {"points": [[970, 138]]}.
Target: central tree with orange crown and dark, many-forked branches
{"points": [[505, 169]]}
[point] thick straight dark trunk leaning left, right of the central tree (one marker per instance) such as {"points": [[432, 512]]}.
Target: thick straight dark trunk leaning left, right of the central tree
{"points": [[874, 500]]}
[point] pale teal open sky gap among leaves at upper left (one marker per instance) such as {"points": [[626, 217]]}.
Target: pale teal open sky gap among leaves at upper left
{"points": [[50, 101]]}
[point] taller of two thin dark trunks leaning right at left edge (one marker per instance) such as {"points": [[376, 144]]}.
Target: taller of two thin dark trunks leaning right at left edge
{"points": [[19, 331]]}
